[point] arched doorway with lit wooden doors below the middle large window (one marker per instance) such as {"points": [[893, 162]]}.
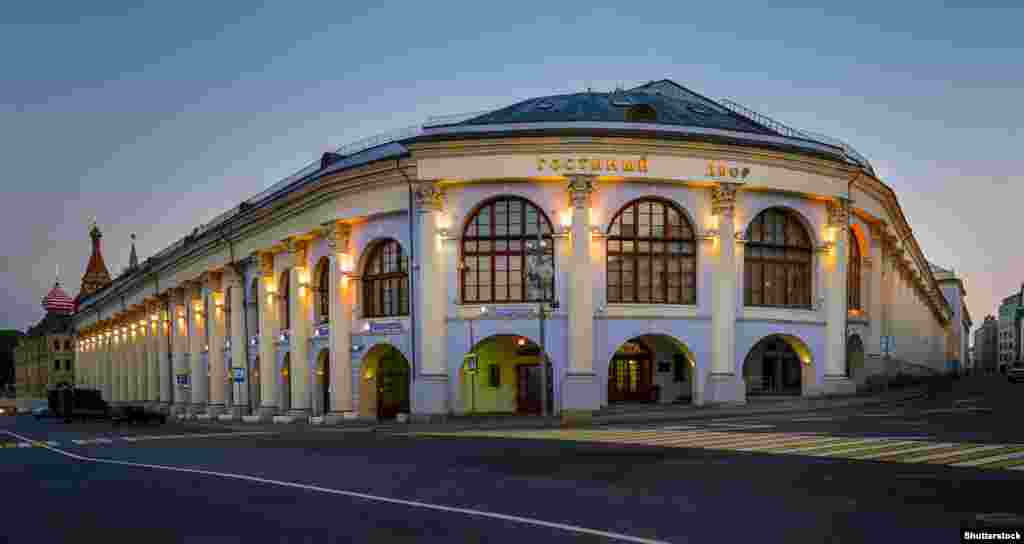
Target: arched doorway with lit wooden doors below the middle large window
{"points": [[652, 368]]}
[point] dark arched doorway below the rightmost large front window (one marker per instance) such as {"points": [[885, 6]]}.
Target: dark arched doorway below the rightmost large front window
{"points": [[777, 366]]}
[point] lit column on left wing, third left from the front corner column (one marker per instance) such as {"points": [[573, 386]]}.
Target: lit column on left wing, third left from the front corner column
{"points": [[298, 285]]}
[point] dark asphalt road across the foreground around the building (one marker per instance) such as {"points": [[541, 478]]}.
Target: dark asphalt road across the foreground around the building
{"points": [[304, 486]]}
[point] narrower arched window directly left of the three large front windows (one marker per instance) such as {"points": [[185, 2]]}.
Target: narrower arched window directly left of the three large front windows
{"points": [[386, 282]]}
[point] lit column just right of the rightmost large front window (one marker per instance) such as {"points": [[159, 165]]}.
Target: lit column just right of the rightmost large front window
{"points": [[836, 380]]}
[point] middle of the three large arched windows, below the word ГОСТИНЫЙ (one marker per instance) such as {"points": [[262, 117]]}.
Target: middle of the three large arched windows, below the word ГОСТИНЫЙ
{"points": [[652, 255]]}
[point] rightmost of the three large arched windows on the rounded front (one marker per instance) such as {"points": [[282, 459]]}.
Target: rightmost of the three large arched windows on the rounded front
{"points": [[778, 262]]}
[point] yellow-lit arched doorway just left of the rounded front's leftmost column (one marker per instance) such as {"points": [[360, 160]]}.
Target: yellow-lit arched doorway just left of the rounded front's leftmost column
{"points": [[385, 388]]}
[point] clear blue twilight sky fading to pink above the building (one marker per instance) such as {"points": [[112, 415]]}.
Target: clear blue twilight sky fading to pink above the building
{"points": [[155, 118]]}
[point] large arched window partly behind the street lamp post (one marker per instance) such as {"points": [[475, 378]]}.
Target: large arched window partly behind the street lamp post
{"points": [[494, 252]]}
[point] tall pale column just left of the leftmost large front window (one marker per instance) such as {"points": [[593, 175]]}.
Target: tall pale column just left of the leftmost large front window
{"points": [[431, 381]]}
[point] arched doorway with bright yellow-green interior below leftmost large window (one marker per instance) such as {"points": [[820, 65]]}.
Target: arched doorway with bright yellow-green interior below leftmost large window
{"points": [[505, 378]]}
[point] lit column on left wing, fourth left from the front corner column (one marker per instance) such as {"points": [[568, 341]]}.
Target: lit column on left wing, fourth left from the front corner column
{"points": [[268, 334]]}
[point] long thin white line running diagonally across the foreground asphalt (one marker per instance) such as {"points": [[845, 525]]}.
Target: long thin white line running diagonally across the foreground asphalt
{"points": [[366, 496]]}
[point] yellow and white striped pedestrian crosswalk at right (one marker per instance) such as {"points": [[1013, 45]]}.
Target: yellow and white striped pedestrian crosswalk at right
{"points": [[884, 449]]}
